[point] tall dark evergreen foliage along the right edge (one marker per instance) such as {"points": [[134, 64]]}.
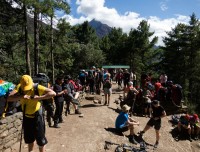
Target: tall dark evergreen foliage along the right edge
{"points": [[181, 59]]}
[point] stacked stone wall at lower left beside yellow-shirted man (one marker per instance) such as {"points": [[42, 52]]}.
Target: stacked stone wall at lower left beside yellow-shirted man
{"points": [[10, 131]]}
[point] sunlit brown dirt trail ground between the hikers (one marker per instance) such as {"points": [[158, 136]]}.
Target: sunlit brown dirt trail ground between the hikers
{"points": [[89, 133]]}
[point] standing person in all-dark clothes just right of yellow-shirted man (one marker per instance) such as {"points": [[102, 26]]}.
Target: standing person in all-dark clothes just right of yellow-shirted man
{"points": [[59, 100]]}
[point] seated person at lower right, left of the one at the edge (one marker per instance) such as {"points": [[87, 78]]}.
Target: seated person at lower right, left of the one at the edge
{"points": [[184, 123]]}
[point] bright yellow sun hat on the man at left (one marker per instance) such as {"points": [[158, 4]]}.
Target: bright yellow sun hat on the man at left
{"points": [[26, 82]]}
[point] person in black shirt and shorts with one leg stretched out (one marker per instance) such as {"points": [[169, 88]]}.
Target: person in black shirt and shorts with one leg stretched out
{"points": [[158, 113]]}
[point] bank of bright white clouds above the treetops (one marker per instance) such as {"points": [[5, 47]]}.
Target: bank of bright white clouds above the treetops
{"points": [[90, 9]]}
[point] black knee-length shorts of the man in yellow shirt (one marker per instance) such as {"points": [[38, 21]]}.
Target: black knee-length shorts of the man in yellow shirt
{"points": [[34, 129]]}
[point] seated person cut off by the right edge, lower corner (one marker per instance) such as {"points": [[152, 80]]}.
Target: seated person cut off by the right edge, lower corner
{"points": [[195, 128]]}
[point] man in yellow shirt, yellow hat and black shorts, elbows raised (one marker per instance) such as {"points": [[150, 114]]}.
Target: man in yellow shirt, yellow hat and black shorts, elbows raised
{"points": [[30, 96]]}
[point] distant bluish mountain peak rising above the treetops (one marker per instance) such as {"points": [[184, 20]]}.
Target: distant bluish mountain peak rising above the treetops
{"points": [[100, 28]]}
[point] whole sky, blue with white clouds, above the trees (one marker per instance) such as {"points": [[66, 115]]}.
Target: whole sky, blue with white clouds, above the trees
{"points": [[162, 15]]}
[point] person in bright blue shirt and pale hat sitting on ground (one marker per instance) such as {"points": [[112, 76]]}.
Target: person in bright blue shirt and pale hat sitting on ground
{"points": [[124, 123]]}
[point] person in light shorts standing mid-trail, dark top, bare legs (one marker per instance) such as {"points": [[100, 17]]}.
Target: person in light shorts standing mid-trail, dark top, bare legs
{"points": [[107, 88]]}
